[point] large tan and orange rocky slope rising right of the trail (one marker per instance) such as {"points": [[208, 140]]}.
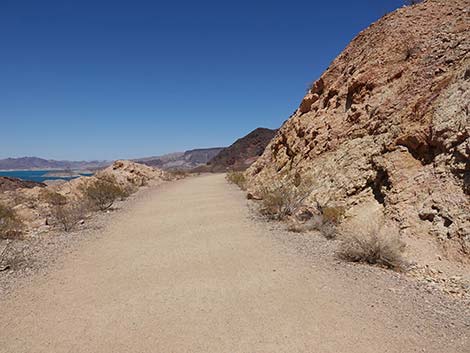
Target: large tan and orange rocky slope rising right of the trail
{"points": [[386, 128]]}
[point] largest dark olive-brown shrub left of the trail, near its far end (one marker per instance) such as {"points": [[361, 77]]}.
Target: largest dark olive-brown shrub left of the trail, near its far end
{"points": [[102, 193]]}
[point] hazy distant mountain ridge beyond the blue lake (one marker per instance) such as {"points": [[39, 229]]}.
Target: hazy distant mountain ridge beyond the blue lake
{"points": [[35, 163]]}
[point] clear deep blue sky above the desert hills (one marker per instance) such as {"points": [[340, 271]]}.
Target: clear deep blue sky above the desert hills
{"points": [[121, 79]]}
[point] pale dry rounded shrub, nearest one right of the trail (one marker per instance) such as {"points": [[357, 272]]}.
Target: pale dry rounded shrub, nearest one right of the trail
{"points": [[373, 243]]}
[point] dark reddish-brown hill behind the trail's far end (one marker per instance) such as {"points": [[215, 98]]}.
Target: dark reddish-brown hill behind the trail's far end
{"points": [[243, 152]]}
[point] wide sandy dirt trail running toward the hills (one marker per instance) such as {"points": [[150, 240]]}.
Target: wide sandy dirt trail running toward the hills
{"points": [[186, 270]]}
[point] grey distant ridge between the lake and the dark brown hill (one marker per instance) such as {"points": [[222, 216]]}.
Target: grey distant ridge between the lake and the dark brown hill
{"points": [[181, 160]]}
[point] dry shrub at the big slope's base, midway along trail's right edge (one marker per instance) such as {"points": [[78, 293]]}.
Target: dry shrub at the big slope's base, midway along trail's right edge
{"points": [[283, 199]]}
